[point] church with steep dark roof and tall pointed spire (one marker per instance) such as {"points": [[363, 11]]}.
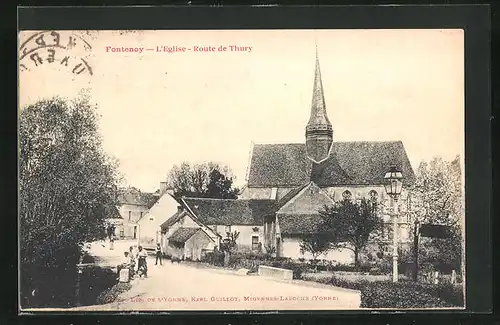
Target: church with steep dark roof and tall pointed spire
{"points": [[302, 177]]}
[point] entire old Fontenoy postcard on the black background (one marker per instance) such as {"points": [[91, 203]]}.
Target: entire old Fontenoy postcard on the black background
{"points": [[240, 170]]}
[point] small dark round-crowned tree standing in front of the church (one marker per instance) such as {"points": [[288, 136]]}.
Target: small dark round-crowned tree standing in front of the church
{"points": [[350, 224]]}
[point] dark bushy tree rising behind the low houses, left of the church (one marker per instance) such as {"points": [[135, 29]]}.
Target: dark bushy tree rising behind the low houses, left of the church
{"points": [[209, 180]]}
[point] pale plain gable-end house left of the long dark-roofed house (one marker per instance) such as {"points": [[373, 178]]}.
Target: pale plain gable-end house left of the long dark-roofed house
{"points": [[151, 221]]}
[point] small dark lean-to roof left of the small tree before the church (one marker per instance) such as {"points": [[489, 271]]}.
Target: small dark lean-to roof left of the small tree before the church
{"points": [[299, 224]]}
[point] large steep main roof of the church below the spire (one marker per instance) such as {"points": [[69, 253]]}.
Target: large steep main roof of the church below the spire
{"points": [[350, 163]]}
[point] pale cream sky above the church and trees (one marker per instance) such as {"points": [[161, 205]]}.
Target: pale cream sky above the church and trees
{"points": [[158, 109]]}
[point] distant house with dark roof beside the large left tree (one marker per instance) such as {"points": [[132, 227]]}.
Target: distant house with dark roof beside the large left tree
{"points": [[132, 205]]}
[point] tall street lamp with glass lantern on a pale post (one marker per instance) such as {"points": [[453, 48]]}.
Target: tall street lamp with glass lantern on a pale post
{"points": [[393, 185]]}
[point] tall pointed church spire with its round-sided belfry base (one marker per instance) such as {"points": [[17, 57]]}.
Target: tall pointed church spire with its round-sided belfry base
{"points": [[319, 133]]}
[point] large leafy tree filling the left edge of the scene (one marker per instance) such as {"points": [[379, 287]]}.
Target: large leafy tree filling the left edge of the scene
{"points": [[66, 183]]}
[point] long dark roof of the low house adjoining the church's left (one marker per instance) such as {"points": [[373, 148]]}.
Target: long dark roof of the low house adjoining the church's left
{"points": [[229, 211]]}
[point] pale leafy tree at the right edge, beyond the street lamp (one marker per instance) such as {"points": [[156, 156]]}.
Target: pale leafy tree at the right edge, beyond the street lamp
{"points": [[439, 191]]}
